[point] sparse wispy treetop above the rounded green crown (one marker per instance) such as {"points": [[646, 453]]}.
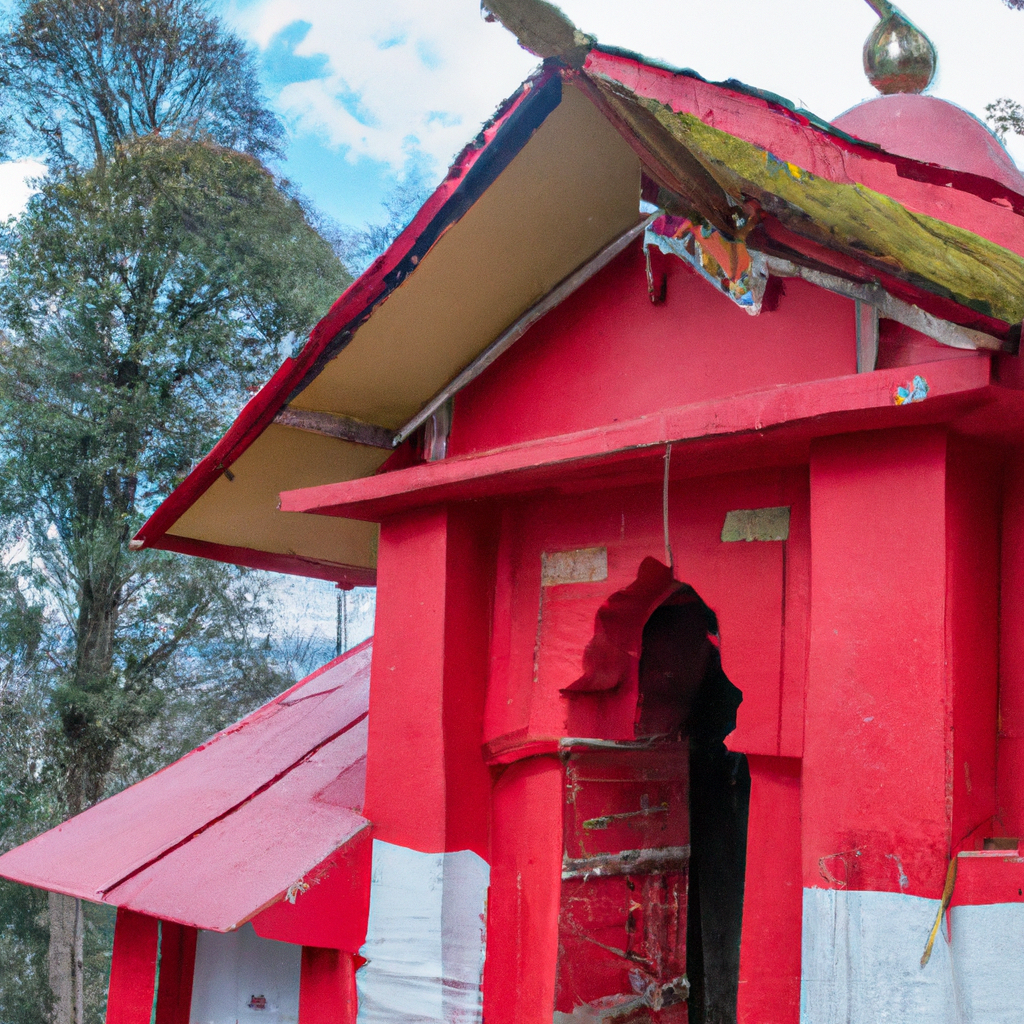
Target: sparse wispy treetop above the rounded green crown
{"points": [[90, 77]]}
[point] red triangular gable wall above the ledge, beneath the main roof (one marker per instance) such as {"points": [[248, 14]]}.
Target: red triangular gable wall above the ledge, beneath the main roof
{"points": [[608, 354]]}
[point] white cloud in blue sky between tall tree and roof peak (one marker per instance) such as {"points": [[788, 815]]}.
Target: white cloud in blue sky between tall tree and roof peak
{"points": [[404, 76]]}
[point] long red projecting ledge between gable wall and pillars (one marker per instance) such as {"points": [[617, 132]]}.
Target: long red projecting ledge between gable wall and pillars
{"points": [[774, 428]]}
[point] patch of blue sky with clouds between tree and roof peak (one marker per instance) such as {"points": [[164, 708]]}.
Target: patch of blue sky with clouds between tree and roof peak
{"points": [[373, 91]]}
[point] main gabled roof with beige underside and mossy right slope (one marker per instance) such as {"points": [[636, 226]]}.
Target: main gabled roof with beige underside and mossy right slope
{"points": [[547, 188]]}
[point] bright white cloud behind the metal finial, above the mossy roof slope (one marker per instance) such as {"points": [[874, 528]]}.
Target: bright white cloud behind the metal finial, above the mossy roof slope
{"points": [[810, 52]]}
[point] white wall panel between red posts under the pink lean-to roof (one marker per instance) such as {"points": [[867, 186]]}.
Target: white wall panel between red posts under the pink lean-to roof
{"points": [[233, 968]]}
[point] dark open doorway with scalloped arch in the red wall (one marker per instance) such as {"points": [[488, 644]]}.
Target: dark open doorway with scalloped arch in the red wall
{"points": [[685, 694]]}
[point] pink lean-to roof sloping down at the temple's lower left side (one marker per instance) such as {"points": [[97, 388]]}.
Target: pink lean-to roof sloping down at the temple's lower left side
{"points": [[233, 826]]}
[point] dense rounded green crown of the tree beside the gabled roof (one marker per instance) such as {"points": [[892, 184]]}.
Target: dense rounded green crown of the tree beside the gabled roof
{"points": [[142, 302]]}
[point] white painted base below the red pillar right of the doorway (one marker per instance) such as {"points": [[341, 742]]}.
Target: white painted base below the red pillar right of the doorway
{"points": [[862, 962]]}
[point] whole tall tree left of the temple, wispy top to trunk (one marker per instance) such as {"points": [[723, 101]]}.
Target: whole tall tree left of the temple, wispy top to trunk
{"points": [[154, 280]]}
